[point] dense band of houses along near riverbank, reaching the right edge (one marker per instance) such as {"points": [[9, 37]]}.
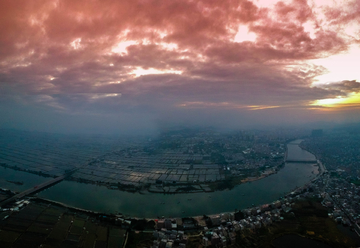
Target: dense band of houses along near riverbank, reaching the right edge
{"points": [[340, 196]]}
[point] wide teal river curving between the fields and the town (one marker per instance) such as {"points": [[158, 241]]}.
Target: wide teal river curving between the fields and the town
{"points": [[99, 198]]}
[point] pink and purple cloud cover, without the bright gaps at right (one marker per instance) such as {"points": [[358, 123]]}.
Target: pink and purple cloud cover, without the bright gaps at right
{"points": [[61, 54]]}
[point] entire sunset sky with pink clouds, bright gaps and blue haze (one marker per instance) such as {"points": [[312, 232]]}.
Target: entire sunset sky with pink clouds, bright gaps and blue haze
{"points": [[109, 66]]}
